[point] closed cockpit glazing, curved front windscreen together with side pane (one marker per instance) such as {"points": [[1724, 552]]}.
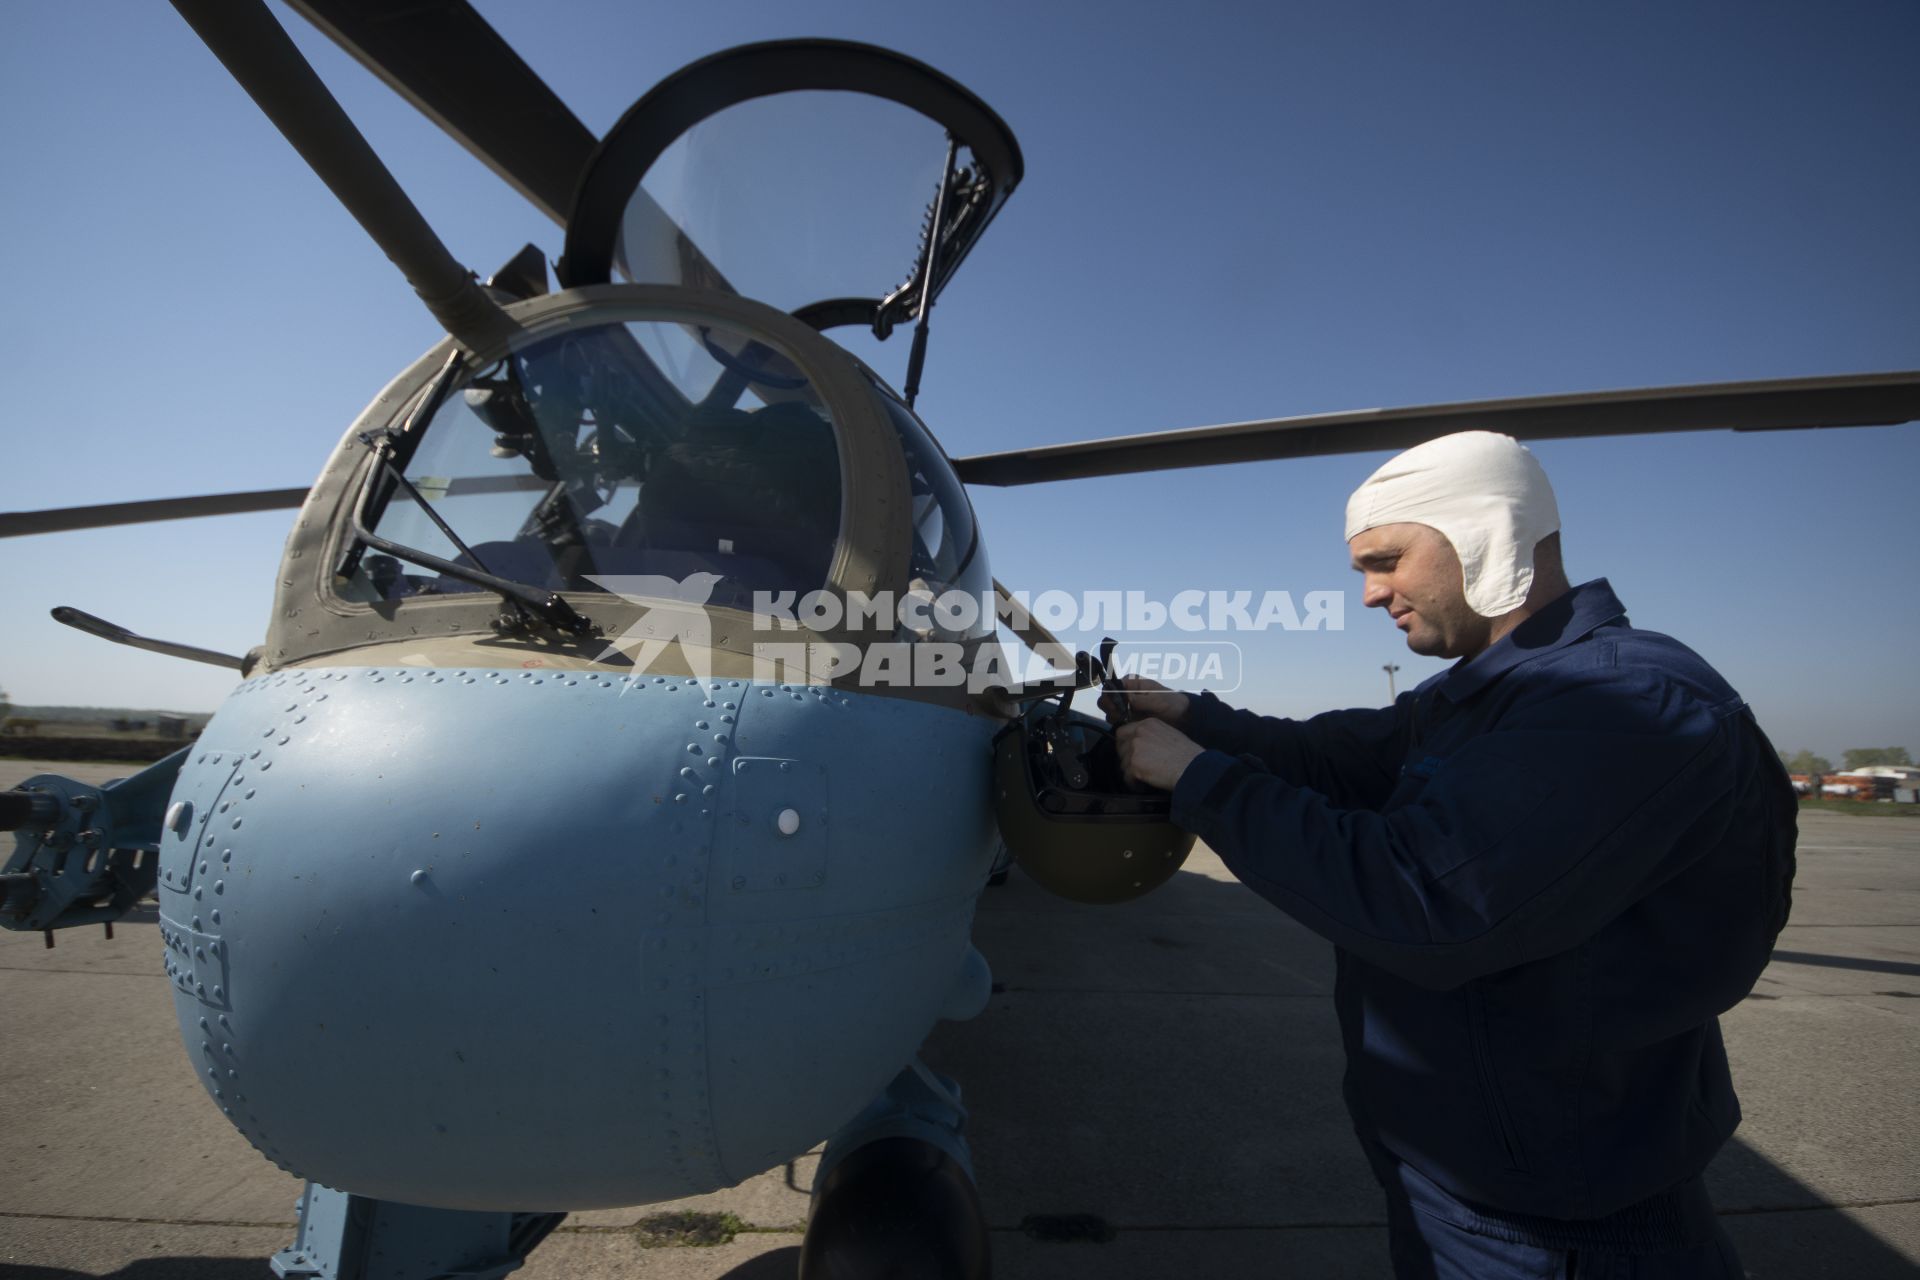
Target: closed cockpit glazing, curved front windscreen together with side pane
{"points": [[623, 452]]}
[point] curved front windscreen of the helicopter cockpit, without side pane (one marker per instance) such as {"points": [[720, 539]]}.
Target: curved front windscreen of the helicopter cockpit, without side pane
{"points": [[623, 450]]}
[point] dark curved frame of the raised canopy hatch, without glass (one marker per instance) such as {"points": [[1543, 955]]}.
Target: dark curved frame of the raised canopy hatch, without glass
{"points": [[727, 80]]}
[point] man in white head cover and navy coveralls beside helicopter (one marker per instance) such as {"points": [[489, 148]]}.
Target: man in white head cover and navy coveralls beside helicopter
{"points": [[1545, 872]]}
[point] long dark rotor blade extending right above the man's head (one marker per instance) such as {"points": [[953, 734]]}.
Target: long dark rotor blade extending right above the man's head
{"points": [[1854, 400]]}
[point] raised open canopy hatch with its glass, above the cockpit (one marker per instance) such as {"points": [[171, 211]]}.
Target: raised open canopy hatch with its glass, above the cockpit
{"points": [[802, 174]]}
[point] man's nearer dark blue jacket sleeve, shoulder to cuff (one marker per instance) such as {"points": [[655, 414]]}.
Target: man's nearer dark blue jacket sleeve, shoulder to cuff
{"points": [[1520, 845]]}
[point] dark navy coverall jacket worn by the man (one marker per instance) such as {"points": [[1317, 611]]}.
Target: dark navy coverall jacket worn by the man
{"points": [[1547, 872]]}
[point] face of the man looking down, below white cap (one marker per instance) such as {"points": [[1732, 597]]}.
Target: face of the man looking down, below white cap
{"points": [[1414, 575]]}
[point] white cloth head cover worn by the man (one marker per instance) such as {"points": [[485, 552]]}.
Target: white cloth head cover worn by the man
{"points": [[1487, 496]]}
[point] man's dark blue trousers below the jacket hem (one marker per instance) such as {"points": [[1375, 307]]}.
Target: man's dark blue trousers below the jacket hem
{"points": [[1429, 1241]]}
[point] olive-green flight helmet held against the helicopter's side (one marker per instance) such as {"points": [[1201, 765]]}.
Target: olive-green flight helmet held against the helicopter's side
{"points": [[1068, 815]]}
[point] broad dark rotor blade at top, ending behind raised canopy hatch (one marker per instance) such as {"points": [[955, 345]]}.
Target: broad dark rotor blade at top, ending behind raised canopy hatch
{"points": [[450, 64]]}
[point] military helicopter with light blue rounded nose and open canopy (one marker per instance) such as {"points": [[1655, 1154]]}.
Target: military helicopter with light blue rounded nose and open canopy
{"points": [[452, 723]]}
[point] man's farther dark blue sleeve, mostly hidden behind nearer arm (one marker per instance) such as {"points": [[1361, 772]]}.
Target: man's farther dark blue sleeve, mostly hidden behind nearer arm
{"points": [[1351, 757]]}
